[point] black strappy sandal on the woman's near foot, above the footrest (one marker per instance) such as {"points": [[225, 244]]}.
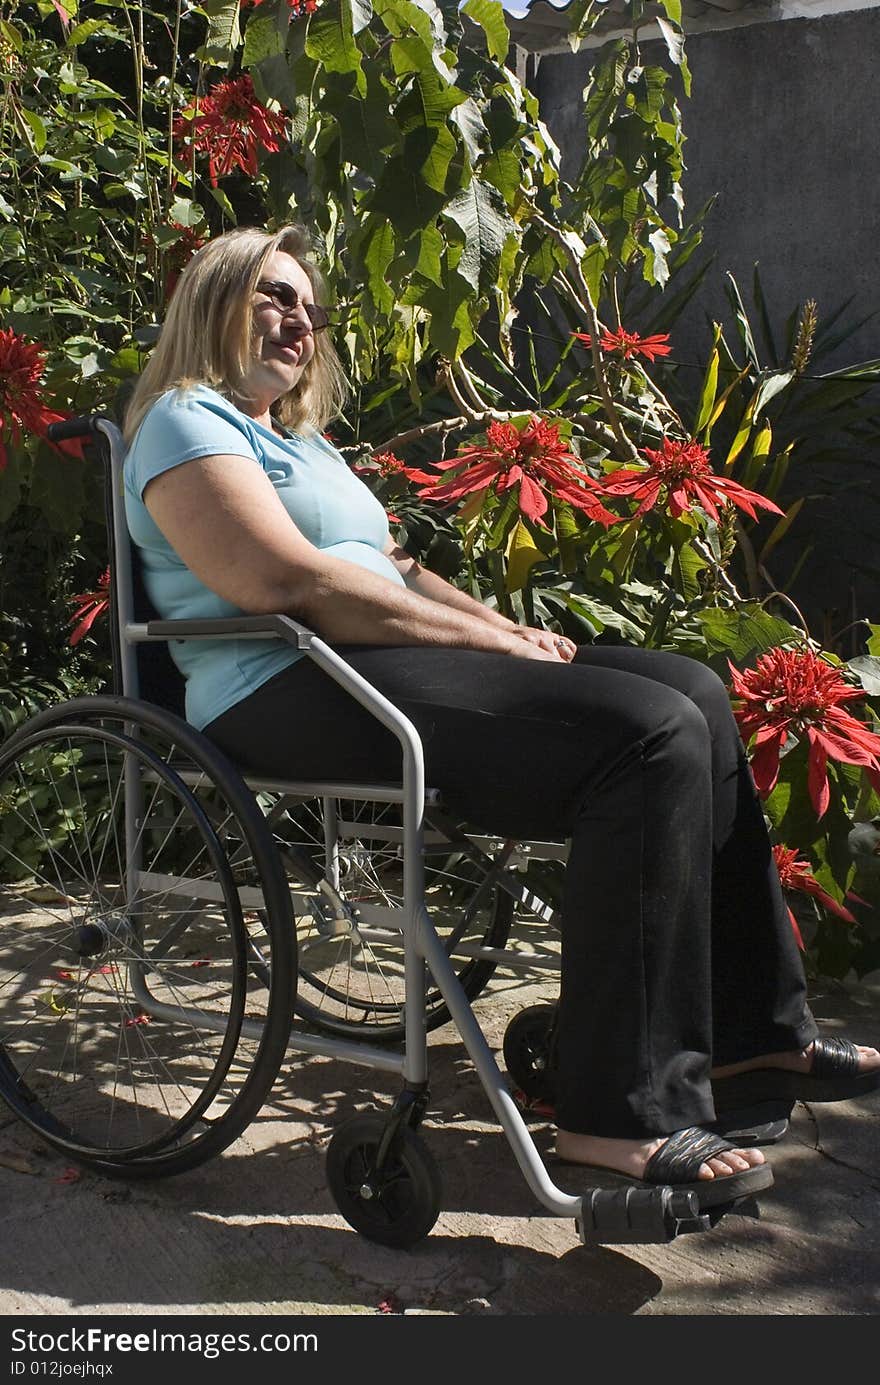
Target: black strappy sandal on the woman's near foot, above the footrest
{"points": [[677, 1165]]}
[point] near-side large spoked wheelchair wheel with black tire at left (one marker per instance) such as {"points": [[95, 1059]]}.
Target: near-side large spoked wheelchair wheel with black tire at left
{"points": [[134, 1033]]}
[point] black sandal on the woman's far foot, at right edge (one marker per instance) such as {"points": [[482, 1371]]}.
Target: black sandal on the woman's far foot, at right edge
{"points": [[835, 1077]]}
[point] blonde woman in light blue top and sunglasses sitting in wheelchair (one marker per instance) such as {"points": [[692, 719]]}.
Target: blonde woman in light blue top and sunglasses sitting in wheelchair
{"points": [[677, 947]]}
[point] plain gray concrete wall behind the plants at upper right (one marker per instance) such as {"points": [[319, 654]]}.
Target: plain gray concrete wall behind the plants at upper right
{"points": [[784, 125]]}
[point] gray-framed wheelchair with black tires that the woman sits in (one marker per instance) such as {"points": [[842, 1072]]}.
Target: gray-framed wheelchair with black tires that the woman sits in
{"points": [[173, 929]]}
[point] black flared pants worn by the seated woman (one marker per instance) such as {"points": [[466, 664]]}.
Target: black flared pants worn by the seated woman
{"points": [[677, 945]]}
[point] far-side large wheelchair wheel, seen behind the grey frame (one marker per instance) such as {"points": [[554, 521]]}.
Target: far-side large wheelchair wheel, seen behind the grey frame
{"points": [[351, 965]]}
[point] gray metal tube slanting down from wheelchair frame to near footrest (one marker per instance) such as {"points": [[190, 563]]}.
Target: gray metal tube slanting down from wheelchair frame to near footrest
{"points": [[513, 1125]]}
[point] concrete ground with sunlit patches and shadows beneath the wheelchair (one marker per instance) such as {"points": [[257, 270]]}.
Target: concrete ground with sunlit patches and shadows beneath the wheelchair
{"points": [[256, 1232]]}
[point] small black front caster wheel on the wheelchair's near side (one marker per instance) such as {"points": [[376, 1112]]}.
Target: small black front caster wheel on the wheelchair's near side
{"points": [[397, 1207]]}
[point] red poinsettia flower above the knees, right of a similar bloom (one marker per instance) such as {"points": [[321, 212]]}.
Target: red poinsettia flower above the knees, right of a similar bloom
{"points": [[681, 472]]}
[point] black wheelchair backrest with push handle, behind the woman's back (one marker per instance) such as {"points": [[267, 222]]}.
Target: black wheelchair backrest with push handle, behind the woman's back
{"points": [[142, 670]]}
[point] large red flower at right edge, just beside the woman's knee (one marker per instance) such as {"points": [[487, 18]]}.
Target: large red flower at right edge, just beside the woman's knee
{"points": [[796, 692]]}
